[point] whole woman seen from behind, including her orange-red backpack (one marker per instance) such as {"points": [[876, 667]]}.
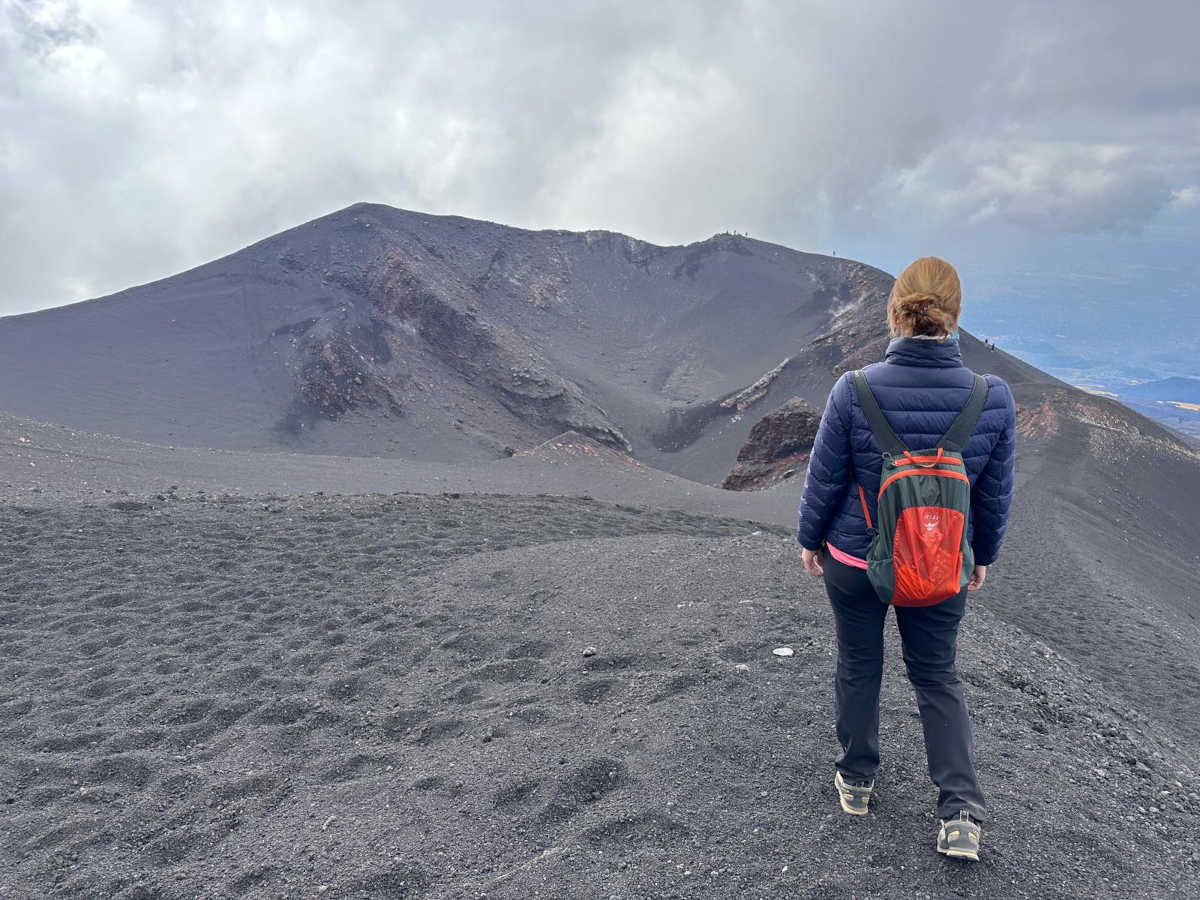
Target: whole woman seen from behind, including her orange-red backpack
{"points": [[921, 388]]}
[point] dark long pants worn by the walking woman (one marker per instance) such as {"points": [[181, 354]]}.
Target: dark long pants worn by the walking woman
{"points": [[931, 643]]}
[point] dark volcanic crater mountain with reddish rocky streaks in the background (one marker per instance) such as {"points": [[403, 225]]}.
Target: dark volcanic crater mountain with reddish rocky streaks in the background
{"points": [[375, 332]]}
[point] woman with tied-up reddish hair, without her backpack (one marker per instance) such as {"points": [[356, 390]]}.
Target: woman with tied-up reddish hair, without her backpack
{"points": [[921, 387]]}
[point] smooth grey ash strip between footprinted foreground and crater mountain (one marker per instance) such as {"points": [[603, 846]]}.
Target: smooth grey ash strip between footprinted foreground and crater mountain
{"points": [[41, 461]]}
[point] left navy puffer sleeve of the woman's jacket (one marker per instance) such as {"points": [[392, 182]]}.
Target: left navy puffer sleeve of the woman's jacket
{"points": [[830, 471]]}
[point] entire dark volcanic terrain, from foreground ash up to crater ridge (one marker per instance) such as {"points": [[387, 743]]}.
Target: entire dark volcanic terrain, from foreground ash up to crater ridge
{"points": [[217, 682]]}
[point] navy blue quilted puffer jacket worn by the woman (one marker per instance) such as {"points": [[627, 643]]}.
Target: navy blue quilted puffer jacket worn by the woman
{"points": [[921, 386]]}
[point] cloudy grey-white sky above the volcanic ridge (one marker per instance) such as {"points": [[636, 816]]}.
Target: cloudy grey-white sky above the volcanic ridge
{"points": [[1027, 142]]}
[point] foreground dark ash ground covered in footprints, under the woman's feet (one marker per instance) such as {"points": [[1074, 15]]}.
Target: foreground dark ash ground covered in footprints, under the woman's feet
{"points": [[388, 698]]}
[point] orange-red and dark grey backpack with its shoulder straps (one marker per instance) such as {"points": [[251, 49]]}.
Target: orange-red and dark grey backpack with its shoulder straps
{"points": [[920, 554]]}
